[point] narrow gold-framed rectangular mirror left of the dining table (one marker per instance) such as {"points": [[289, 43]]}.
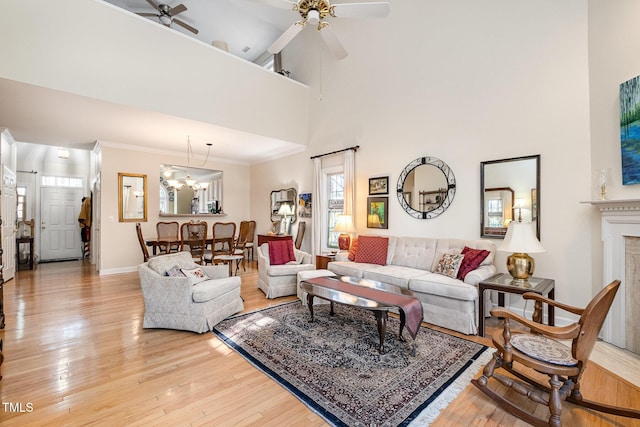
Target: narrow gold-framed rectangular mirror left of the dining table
{"points": [[132, 197]]}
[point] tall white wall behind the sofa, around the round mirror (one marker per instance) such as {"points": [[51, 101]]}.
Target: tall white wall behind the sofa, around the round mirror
{"points": [[466, 82]]}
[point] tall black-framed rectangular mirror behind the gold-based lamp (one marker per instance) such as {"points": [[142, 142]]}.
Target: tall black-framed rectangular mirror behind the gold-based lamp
{"points": [[509, 191]]}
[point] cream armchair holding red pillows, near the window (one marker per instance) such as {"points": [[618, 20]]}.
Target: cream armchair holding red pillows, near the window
{"points": [[281, 280]]}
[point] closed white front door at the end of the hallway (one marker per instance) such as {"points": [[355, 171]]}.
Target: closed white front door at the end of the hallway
{"points": [[59, 229]]}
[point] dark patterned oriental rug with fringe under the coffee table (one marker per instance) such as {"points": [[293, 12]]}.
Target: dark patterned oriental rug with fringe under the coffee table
{"points": [[334, 367]]}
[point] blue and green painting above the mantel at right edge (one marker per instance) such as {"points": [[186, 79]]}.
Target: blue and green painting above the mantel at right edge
{"points": [[630, 130]]}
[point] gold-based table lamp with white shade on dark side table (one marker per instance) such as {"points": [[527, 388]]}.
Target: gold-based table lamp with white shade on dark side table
{"points": [[521, 240]]}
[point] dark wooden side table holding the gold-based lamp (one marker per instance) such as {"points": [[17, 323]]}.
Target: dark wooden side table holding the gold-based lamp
{"points": [[504, 283]]}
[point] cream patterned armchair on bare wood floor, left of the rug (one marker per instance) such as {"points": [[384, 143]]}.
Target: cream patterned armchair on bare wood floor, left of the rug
{"points": [[187, 303]]}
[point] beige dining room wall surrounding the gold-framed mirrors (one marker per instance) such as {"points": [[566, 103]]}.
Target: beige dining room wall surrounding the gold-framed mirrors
{"points": [[119, 249]]}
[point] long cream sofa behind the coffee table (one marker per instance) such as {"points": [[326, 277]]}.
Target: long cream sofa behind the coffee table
{"points": [[411, 262]]}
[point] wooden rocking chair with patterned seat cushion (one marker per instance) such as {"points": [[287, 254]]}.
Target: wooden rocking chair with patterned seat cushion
{"points": [[540, 351]]}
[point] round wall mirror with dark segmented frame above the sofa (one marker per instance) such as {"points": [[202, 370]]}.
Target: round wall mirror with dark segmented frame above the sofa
{"points": [[426, 187]]}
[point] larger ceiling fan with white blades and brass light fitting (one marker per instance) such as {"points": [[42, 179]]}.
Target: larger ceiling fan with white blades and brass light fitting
{"points": [[315, 11]]}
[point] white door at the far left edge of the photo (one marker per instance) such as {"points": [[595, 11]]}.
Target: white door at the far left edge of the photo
{"points": [[8, 223]]}
